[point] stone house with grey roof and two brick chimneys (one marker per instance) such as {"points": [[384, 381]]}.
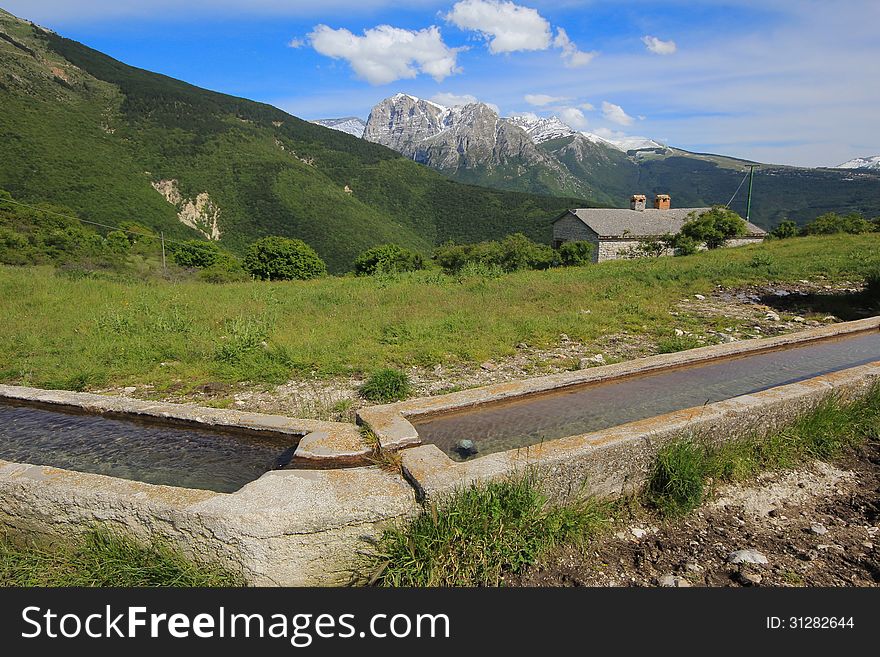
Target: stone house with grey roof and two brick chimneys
{"points": [[614, 233]]}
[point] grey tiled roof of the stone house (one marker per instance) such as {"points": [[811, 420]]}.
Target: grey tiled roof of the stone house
{"points": [[612, 222]]}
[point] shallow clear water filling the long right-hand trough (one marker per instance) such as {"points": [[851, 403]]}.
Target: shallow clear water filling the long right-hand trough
{"points": [[499, 426]]}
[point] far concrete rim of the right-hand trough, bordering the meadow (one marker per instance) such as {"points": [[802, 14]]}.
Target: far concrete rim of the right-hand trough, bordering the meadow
{"points": [[393, 429]]}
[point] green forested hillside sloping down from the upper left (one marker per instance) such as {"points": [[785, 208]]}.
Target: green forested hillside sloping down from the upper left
{"points": [[81, 129]]}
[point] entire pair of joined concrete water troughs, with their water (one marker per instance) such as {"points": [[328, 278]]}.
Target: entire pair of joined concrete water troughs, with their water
{"points": [[293, 502]]}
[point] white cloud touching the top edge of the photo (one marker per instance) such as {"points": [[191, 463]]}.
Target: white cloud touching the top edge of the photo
{"points": [[507, 27]]}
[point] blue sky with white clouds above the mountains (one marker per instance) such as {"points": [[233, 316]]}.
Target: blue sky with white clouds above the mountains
{"points": [[791, 81]]}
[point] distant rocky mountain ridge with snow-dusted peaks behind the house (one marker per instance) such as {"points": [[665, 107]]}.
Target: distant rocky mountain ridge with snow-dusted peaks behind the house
{"points": [[472, 143]]}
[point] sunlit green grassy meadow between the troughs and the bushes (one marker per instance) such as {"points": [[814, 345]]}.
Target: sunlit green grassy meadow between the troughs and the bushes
{"points": [[59, 330]]}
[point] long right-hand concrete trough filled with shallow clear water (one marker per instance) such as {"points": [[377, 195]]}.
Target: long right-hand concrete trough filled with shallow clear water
{"points": [[603, 425]]}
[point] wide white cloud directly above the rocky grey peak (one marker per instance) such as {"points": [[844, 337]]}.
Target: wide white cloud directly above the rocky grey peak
{"points": [[385, 54]]}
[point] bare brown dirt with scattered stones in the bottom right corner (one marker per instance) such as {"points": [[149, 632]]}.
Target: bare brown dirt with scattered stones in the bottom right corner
{"points": [[815, 526]]}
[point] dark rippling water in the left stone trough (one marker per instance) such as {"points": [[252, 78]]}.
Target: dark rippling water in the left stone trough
{"points": [[150, 451]]}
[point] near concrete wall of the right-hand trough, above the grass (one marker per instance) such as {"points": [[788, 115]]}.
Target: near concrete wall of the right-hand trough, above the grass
{"points": [[616, 460]]}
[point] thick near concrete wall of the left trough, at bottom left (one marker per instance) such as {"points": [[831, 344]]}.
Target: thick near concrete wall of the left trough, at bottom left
{"points": [[287, 528]]}
